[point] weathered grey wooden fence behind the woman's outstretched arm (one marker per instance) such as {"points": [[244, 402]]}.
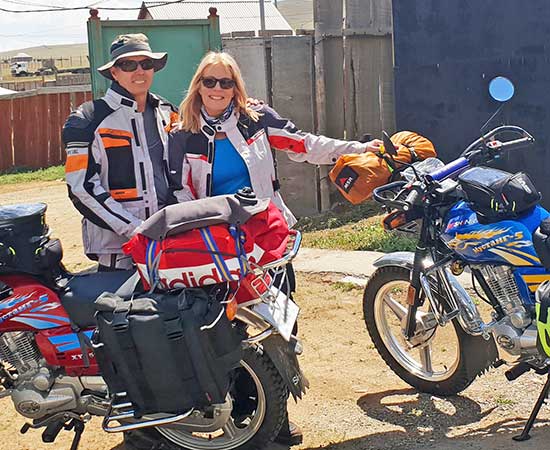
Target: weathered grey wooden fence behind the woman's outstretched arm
{"points": [[338, 82]]}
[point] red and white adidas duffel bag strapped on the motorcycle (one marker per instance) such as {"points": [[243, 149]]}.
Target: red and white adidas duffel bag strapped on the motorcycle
{"points": [[208, 241]]}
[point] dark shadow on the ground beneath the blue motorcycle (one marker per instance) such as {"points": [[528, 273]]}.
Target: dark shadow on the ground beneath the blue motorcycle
{"points": [[427, 422]]}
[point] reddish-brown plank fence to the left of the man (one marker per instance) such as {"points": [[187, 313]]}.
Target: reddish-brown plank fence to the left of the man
{"points": [[31, 122]]}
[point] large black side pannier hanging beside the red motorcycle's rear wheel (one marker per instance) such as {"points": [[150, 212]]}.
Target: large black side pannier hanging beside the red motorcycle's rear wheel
{"points": [[169, 353]]}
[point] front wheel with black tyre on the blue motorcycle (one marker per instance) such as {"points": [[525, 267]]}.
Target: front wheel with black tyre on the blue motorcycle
{"points": [[442, 361]]}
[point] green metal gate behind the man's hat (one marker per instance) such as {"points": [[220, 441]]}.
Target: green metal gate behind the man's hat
{"points": [[186, 42]]}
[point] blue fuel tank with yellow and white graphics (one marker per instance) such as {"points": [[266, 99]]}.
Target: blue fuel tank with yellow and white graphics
{"points": [[508, 242]]}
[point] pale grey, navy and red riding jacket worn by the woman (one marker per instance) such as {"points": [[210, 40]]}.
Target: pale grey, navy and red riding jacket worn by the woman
{"points": [[191, 154]]}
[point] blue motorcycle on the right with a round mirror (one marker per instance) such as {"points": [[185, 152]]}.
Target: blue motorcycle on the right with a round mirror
{"points": [[432, 332]]}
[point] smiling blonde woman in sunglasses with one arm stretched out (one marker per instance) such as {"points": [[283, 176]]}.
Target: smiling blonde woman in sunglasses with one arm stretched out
{"points": [[223, 144]]}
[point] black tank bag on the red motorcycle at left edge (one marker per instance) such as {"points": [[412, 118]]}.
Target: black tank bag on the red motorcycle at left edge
{"points": [[24, 242]]}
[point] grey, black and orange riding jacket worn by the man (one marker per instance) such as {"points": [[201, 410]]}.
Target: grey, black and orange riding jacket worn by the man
{"points": [[108, 169]]}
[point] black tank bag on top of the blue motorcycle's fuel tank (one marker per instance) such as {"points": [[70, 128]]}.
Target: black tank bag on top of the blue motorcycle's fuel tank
{"points": [[496, 195]]}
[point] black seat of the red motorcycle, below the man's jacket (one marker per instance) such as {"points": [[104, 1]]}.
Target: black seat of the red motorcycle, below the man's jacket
{"points": [[81, 292]]}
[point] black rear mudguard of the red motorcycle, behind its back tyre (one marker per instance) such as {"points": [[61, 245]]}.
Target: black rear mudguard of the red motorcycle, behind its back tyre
{"points": [[284, 358]]}
